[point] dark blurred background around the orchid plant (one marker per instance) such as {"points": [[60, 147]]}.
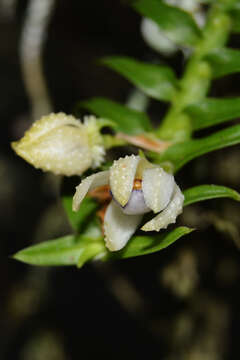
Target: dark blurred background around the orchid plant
{"points": [[179, 304]]}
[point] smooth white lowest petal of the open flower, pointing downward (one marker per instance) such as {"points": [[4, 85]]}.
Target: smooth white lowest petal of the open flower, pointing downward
{"points": [[119, 227]]}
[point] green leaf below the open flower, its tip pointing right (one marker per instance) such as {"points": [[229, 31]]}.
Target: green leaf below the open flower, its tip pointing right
{"points": [[143, 245]]}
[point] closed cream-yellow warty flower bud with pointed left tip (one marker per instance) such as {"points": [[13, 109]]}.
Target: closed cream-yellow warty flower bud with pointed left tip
{"points": [[62, 144]]}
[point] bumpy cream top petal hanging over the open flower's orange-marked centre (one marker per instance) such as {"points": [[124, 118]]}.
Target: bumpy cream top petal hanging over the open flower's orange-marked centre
{"points": [[122, 174]]}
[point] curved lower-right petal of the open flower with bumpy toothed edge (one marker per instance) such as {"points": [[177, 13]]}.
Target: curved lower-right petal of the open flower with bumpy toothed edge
{"points": [[168, 215]]}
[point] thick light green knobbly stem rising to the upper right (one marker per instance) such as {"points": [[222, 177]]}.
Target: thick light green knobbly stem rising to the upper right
{"points": [[194, 85]]}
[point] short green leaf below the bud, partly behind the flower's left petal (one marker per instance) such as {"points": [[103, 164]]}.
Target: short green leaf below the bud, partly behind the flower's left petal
{"points": [[79, 219]]}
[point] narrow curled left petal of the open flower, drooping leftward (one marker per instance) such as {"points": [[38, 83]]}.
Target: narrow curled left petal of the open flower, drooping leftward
{"points": [[89, 183]]}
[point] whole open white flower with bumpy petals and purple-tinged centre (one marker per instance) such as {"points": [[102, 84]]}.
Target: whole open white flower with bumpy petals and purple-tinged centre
{"points": [[137, 187]]}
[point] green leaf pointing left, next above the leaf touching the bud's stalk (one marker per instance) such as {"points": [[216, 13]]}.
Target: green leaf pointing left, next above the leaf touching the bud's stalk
{"points": [[156, 81]]}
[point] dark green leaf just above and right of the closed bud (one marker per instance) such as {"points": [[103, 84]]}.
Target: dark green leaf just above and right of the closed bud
{"points": [[127, 120]]}
